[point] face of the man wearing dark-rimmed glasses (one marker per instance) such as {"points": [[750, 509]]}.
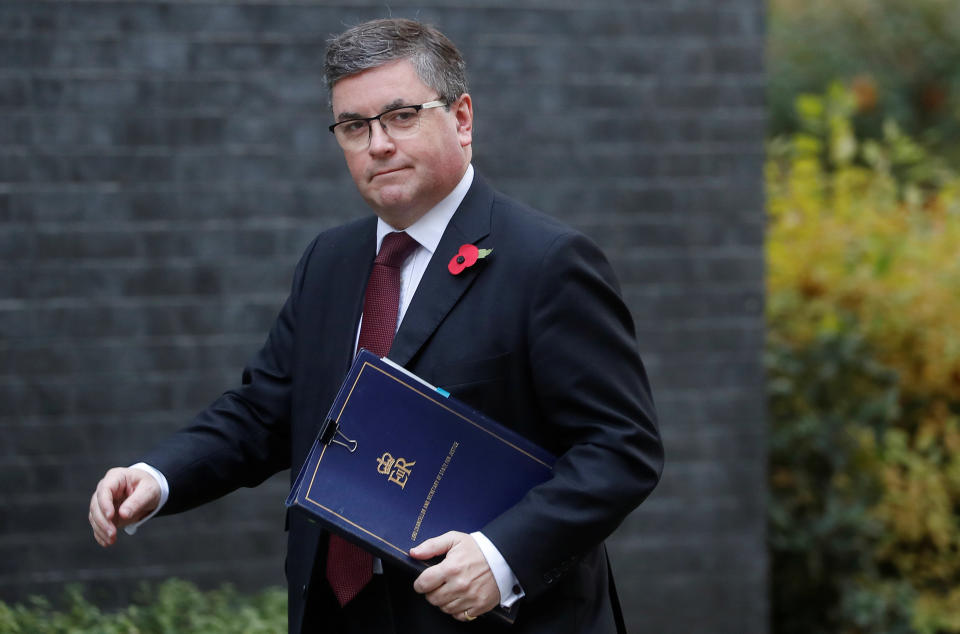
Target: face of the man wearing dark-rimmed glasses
{"points": [[401, 179]]}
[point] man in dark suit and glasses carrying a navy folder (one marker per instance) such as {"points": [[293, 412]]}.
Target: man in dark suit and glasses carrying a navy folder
{"points": [[534, 334]]}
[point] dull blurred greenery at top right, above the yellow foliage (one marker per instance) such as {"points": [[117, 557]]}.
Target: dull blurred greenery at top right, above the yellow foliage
{"points": [[901, 57]]}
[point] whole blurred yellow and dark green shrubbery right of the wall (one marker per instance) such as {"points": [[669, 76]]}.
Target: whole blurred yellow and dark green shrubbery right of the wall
{"points": [[863, 363]]}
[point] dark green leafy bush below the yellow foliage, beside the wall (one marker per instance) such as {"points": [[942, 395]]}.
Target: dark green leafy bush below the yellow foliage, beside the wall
{"points": [[830, 404]]}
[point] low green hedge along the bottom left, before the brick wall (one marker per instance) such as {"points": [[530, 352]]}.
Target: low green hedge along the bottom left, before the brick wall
{"points": [[172, 607]]}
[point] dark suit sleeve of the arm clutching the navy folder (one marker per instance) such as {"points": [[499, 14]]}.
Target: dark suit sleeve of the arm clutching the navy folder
{"points": [[594, 396]]}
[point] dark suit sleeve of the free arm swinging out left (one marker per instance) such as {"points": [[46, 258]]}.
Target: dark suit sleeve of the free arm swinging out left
{"points": [[243, 437]]}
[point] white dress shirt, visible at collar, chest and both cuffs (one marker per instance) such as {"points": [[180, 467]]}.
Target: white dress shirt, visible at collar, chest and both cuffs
{"points": [[427, 231]]}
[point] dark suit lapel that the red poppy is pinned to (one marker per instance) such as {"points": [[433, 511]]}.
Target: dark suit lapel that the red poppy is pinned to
{"points": [[439, 290]]}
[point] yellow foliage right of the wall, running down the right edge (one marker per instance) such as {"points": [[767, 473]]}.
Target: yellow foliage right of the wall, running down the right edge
{"points": [[868, 234]]}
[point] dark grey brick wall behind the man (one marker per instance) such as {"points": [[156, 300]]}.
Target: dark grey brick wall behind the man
{"points": [[162, 164]]}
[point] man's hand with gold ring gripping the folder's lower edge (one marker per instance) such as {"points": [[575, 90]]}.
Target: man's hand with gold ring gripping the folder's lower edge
{"points": [[461, 585]]}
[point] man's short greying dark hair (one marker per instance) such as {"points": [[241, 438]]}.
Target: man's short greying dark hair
{"points": [[436, 60]]}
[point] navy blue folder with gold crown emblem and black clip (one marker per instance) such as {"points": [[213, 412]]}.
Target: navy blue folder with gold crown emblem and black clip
{"points": [[398, 461]]}
